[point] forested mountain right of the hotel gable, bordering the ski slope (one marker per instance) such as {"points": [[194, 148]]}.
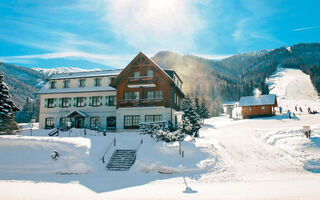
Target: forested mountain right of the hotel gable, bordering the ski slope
{"points": [[239, 75]]}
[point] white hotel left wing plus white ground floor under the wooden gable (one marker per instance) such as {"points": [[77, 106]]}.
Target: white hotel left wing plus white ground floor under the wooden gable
{"points": [[55, 94]]}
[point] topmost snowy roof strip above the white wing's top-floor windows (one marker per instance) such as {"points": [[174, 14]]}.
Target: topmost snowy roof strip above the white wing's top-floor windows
{"points": [[86, 74]]}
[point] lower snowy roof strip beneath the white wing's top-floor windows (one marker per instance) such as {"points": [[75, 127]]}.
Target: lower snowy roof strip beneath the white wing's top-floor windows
{"points": [[46, 90]]}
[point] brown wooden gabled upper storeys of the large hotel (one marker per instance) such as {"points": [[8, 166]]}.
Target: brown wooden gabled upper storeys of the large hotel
{"points": [[144, 84]]}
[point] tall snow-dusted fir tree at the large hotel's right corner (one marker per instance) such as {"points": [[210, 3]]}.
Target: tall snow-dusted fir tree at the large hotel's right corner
{"points": [[191, 122]]}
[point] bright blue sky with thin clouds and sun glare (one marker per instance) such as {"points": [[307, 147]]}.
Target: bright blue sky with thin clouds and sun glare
{"points": [[108, 34]]}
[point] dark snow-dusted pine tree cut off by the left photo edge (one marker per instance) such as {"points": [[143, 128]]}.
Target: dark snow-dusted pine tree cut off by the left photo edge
{"points": [[7, 107]]}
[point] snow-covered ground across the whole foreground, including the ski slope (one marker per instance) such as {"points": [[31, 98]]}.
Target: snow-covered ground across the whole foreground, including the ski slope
{"points": [[263, 158]]}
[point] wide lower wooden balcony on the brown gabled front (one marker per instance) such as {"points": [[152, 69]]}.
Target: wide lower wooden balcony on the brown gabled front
{"points": [[141, 102]]}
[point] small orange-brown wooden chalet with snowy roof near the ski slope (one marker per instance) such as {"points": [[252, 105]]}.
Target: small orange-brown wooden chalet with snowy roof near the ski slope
{"points": [[258, 106]]}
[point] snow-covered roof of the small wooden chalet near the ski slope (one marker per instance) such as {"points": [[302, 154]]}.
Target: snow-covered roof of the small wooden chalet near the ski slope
{"points": [[257, 101]]}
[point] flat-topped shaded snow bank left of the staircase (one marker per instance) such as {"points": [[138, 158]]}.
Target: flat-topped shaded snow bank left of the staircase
{"points": [[24, 154]]}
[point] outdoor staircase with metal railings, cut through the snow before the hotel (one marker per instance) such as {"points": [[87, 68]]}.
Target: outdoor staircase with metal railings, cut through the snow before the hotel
{"points": [[121, 160]]}
